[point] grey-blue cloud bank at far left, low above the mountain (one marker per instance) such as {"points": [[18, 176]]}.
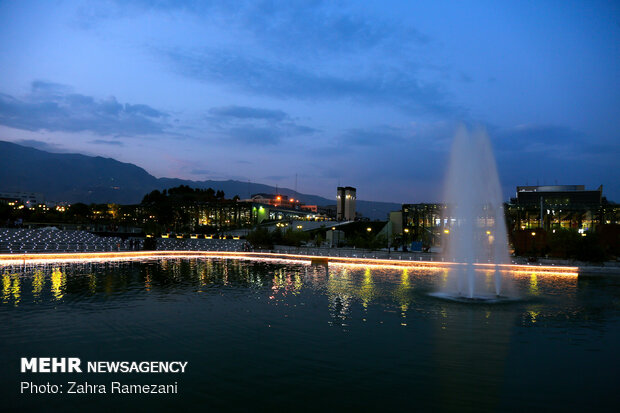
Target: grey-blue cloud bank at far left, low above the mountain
{"points": [[54, 108]]}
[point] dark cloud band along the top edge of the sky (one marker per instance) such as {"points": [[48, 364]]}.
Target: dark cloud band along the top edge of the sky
{"points": [[299, 27]]}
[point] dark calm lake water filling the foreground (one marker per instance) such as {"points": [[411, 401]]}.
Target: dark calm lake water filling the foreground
{"points": [[273, 336]]}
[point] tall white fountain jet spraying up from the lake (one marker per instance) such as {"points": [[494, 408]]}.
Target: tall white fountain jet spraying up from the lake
{"points": [[475, 224]]}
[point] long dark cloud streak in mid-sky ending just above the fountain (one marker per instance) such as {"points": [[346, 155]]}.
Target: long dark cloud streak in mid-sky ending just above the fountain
{"points": [[386, 85]]}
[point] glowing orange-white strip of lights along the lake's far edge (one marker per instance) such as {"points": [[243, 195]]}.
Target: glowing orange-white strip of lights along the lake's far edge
{"points": [[45, 258]]}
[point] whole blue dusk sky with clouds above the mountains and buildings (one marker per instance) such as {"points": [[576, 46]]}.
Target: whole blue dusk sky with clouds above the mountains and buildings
{"points": [[367, 94]]}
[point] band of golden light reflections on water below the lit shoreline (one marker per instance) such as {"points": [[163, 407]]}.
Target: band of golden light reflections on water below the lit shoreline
{"points": [[349, 291]]}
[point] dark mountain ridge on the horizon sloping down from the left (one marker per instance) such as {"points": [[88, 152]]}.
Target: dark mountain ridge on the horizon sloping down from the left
{"points": [[94, 179]]}
